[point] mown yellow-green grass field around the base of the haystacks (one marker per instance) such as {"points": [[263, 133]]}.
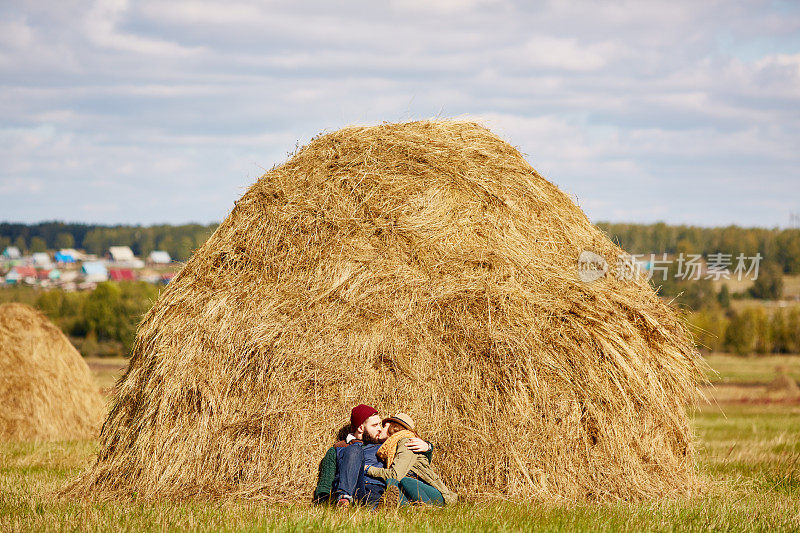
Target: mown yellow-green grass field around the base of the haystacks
{"points": [[748, 455]]}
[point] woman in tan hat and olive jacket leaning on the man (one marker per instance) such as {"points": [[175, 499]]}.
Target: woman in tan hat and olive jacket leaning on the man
{"points": [[417, 479]]}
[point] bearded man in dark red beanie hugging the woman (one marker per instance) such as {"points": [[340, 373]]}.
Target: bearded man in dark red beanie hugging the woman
{"points": [[341, 473]]}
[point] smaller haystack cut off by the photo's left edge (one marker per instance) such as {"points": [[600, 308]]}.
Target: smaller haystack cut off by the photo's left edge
{"points": [[46, 389]]}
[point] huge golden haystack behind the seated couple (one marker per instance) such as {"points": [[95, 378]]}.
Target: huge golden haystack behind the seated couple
{"points": [[423, 267]]}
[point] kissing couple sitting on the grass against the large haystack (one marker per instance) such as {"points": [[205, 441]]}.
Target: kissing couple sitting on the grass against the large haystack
{"points": [[380, 462]]}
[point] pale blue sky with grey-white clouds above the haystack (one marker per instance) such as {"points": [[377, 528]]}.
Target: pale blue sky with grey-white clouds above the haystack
{"points": [[146, 112]]}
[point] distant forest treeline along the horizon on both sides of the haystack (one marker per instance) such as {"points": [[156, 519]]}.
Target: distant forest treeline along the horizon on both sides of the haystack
{"points": [[776, 246]]}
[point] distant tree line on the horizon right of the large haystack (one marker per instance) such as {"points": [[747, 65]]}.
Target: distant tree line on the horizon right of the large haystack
{"points": [[778, 246]]}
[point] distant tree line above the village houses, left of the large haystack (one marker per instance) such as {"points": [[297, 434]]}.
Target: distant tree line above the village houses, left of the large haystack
{"points": [[180, 241]]}
